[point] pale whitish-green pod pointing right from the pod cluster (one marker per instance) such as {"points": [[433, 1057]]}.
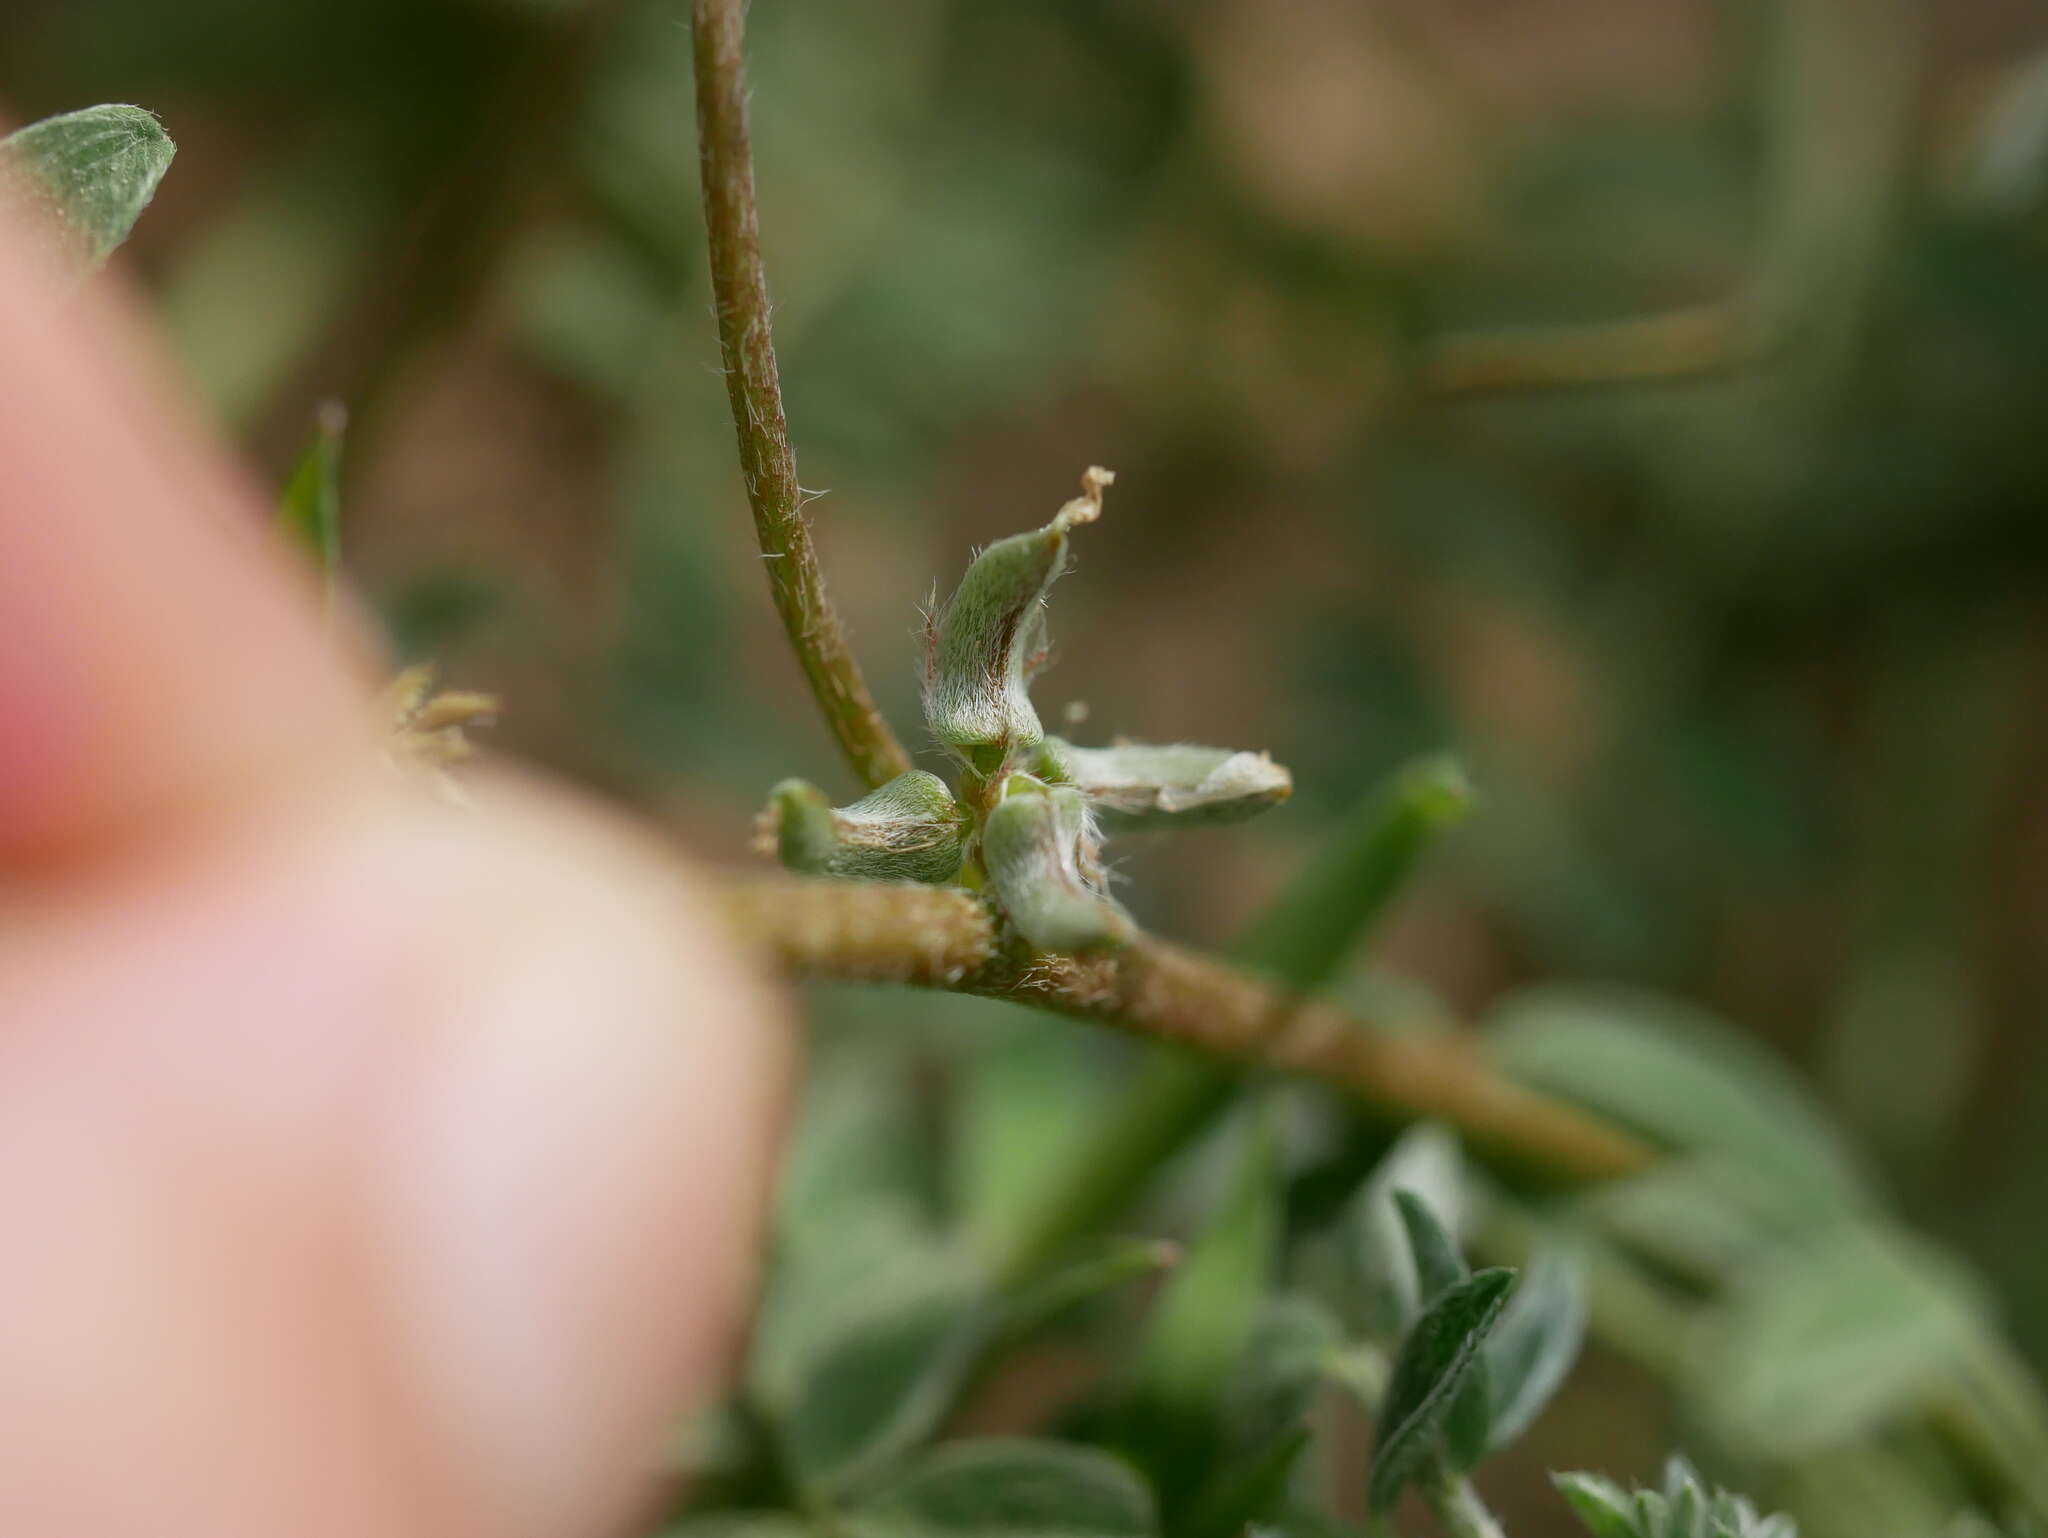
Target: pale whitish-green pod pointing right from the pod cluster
{"points": [[1140, 787]]}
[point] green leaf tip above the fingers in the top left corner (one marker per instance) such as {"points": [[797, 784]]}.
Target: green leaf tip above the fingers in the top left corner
{"points": [[91, 173]]}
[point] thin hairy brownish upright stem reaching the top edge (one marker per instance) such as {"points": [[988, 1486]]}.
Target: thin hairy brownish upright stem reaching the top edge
{"points": [[767, 464]]}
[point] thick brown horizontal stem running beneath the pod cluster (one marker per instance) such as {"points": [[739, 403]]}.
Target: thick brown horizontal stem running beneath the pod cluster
{"points": [[937, 937]]}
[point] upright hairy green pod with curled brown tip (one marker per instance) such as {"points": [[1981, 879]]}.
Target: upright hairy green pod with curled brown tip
{"points": [[988, 642]]}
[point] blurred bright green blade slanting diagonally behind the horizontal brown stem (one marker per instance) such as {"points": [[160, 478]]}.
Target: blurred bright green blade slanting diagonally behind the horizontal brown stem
{"points": [[1302, 941]]}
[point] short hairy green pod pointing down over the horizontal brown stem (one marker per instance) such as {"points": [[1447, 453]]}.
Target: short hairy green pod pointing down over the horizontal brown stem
{"points": [[1039, 849]]}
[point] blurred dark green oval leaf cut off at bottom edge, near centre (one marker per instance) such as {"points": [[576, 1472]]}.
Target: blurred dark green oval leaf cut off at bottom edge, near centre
{"points": [[1011, 1490]]}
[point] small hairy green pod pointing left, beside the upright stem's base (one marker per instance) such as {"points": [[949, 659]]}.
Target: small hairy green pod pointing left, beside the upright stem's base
{"points": [[910, 830]]}
